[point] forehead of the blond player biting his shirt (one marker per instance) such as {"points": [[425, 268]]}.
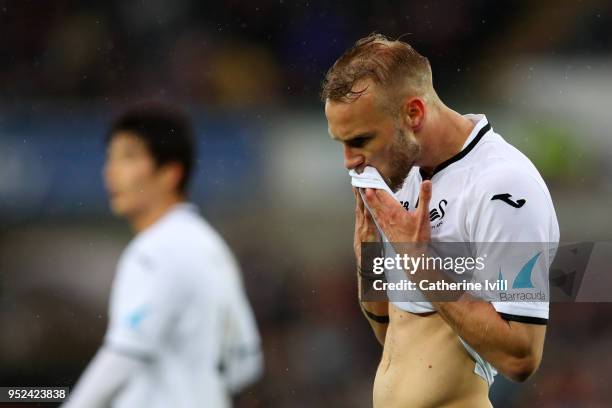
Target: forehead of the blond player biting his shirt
{"points": [[347, 118]]}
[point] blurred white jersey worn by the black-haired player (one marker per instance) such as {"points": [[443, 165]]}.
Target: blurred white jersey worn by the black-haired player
{"points": [[178, 304]]}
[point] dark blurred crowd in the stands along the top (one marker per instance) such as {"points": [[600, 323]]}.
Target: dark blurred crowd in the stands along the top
{"points": [[240, 54]]}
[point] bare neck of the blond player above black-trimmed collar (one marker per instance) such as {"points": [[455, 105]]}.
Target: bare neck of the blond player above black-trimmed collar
{"points": [[446, 137]]}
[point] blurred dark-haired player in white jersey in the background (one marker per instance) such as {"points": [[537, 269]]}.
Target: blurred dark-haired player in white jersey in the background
{"points": [[181, 332]]}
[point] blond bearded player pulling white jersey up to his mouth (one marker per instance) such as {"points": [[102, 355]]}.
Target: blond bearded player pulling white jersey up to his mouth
{"points": [[381, 105]]}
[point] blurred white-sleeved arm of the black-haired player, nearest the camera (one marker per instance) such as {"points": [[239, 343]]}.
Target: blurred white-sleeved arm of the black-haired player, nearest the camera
{"points": [[136, 325]]}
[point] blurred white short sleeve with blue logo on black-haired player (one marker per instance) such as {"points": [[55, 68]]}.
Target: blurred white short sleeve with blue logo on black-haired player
{"points": [[145, 301]]}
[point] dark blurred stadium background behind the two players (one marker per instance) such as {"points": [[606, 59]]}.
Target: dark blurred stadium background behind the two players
{"points": [[269, 178]]}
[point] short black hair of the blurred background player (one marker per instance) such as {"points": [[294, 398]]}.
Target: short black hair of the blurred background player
{"points": [[167, 132]]}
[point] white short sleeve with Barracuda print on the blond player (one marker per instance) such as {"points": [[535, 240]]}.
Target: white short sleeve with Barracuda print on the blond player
{"points": [[513, 224]]}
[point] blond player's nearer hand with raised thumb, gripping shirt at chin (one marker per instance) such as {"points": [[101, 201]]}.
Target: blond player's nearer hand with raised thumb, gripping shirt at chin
{"points": [[398, 224]]}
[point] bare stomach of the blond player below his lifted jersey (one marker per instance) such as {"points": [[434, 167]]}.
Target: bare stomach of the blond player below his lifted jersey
{"points": [[425, 365]]}
